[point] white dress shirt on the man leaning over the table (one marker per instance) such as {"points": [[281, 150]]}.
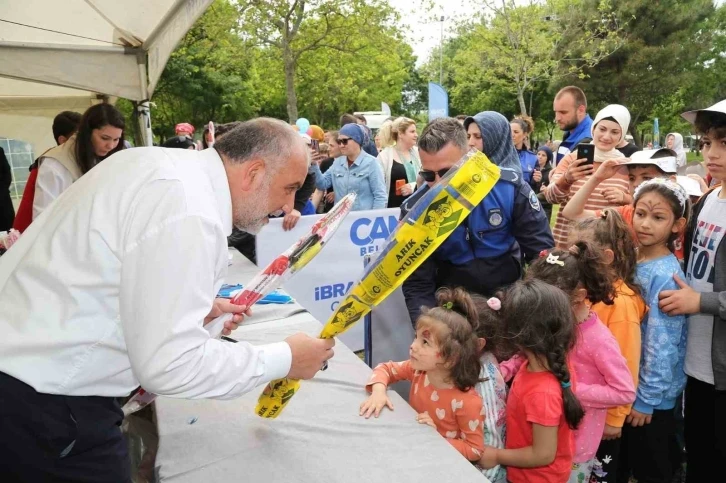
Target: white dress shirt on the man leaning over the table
{"points": [[108, 288]]}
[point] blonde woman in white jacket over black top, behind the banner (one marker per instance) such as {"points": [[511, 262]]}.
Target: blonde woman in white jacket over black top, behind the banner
{"points": [[399, 159]]}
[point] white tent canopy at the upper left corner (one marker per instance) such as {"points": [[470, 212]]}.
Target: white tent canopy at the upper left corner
{"points": [[58, 55]]}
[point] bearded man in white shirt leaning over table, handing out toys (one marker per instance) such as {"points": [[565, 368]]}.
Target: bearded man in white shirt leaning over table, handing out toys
{"points": [[110, 287]]}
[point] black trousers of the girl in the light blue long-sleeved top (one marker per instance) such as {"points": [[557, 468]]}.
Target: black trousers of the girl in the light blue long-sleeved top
{"points": [[650, 452]]}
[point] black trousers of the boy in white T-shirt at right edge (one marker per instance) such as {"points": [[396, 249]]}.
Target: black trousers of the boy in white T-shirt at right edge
{"points": [[705, 422]]}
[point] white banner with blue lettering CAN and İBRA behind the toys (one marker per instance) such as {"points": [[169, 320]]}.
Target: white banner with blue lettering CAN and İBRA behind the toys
{"points": [[320, 286]]}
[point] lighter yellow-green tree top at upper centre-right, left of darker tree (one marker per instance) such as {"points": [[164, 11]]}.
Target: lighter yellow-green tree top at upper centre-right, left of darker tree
{"points": [[513, 48]]}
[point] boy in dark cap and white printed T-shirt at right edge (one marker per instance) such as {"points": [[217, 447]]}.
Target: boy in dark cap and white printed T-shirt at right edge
{"points": [[703, 299]]}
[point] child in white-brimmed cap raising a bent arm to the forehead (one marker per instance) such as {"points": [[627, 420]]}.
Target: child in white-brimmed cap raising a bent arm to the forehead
{"points": [[642, 166]]}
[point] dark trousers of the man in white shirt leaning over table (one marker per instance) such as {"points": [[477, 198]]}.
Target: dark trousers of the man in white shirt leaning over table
{"points": [[45, 437]]}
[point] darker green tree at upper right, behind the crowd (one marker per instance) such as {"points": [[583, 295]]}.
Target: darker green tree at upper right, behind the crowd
{"points": [[655, 71]]}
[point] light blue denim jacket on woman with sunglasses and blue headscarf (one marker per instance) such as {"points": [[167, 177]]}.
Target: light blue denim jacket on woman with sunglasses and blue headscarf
{"points": [[364, 177]]}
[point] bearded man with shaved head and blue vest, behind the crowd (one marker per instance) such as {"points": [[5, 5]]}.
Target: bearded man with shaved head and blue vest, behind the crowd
{"points": [[571, 116]]}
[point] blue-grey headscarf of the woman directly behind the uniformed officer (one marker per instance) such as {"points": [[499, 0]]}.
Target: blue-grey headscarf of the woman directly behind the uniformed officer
{"points": [[497, 137]]}
